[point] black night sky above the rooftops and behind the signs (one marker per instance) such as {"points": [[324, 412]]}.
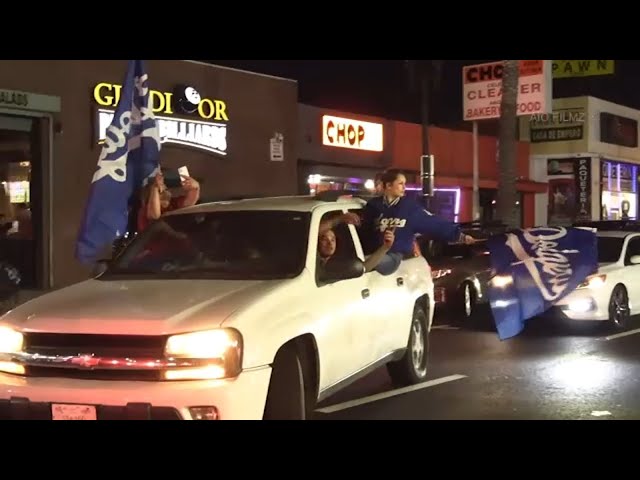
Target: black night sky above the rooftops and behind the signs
{"points": [[380, 87]]}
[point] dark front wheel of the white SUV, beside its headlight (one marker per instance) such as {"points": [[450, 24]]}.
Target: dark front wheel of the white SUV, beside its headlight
{"points": [[286, 398]]}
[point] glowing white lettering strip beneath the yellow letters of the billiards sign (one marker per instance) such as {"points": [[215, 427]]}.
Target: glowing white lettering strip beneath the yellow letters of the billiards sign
{"points": [[208, 136]]}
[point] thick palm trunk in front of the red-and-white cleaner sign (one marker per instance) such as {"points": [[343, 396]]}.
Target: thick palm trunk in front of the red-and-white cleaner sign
{"points": [[507, 196]]}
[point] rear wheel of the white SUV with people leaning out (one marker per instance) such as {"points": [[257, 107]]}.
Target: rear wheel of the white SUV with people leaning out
{"points": [[412, 368]]}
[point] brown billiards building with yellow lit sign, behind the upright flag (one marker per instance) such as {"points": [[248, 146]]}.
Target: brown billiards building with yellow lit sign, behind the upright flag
{"points": [[235, 131]]}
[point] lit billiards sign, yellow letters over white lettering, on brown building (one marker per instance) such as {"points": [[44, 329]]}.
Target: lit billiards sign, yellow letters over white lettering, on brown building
{"points": [[205, 133]]}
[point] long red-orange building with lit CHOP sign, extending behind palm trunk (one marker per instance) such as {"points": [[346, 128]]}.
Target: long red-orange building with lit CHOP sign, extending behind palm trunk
{"points": [[340, 150]]}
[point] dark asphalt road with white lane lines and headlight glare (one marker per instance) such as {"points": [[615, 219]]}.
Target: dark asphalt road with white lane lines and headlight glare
{"points": [[550, 371]]}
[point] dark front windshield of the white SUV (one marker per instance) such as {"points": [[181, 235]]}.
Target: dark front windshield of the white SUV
{"points": [[229, 245]]}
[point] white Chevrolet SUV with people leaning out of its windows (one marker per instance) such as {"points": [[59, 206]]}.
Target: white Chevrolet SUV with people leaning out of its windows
{"points": [[216, 312]]}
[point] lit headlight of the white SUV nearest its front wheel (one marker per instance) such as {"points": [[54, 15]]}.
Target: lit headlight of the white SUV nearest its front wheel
{"points": [[219, 352]]}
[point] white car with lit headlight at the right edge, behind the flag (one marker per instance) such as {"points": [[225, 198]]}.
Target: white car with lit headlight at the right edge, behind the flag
{"points": [[613, 294]]}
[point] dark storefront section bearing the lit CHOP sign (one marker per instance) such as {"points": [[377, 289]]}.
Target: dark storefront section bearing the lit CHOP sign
{"points": [[341, 151]]}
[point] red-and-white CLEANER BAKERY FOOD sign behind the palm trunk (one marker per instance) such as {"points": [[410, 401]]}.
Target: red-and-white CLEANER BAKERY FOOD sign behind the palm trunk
{"points": [[482, 89]]}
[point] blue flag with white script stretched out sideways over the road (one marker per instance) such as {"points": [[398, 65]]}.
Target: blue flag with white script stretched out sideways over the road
{"points": [[535, 268]]}
